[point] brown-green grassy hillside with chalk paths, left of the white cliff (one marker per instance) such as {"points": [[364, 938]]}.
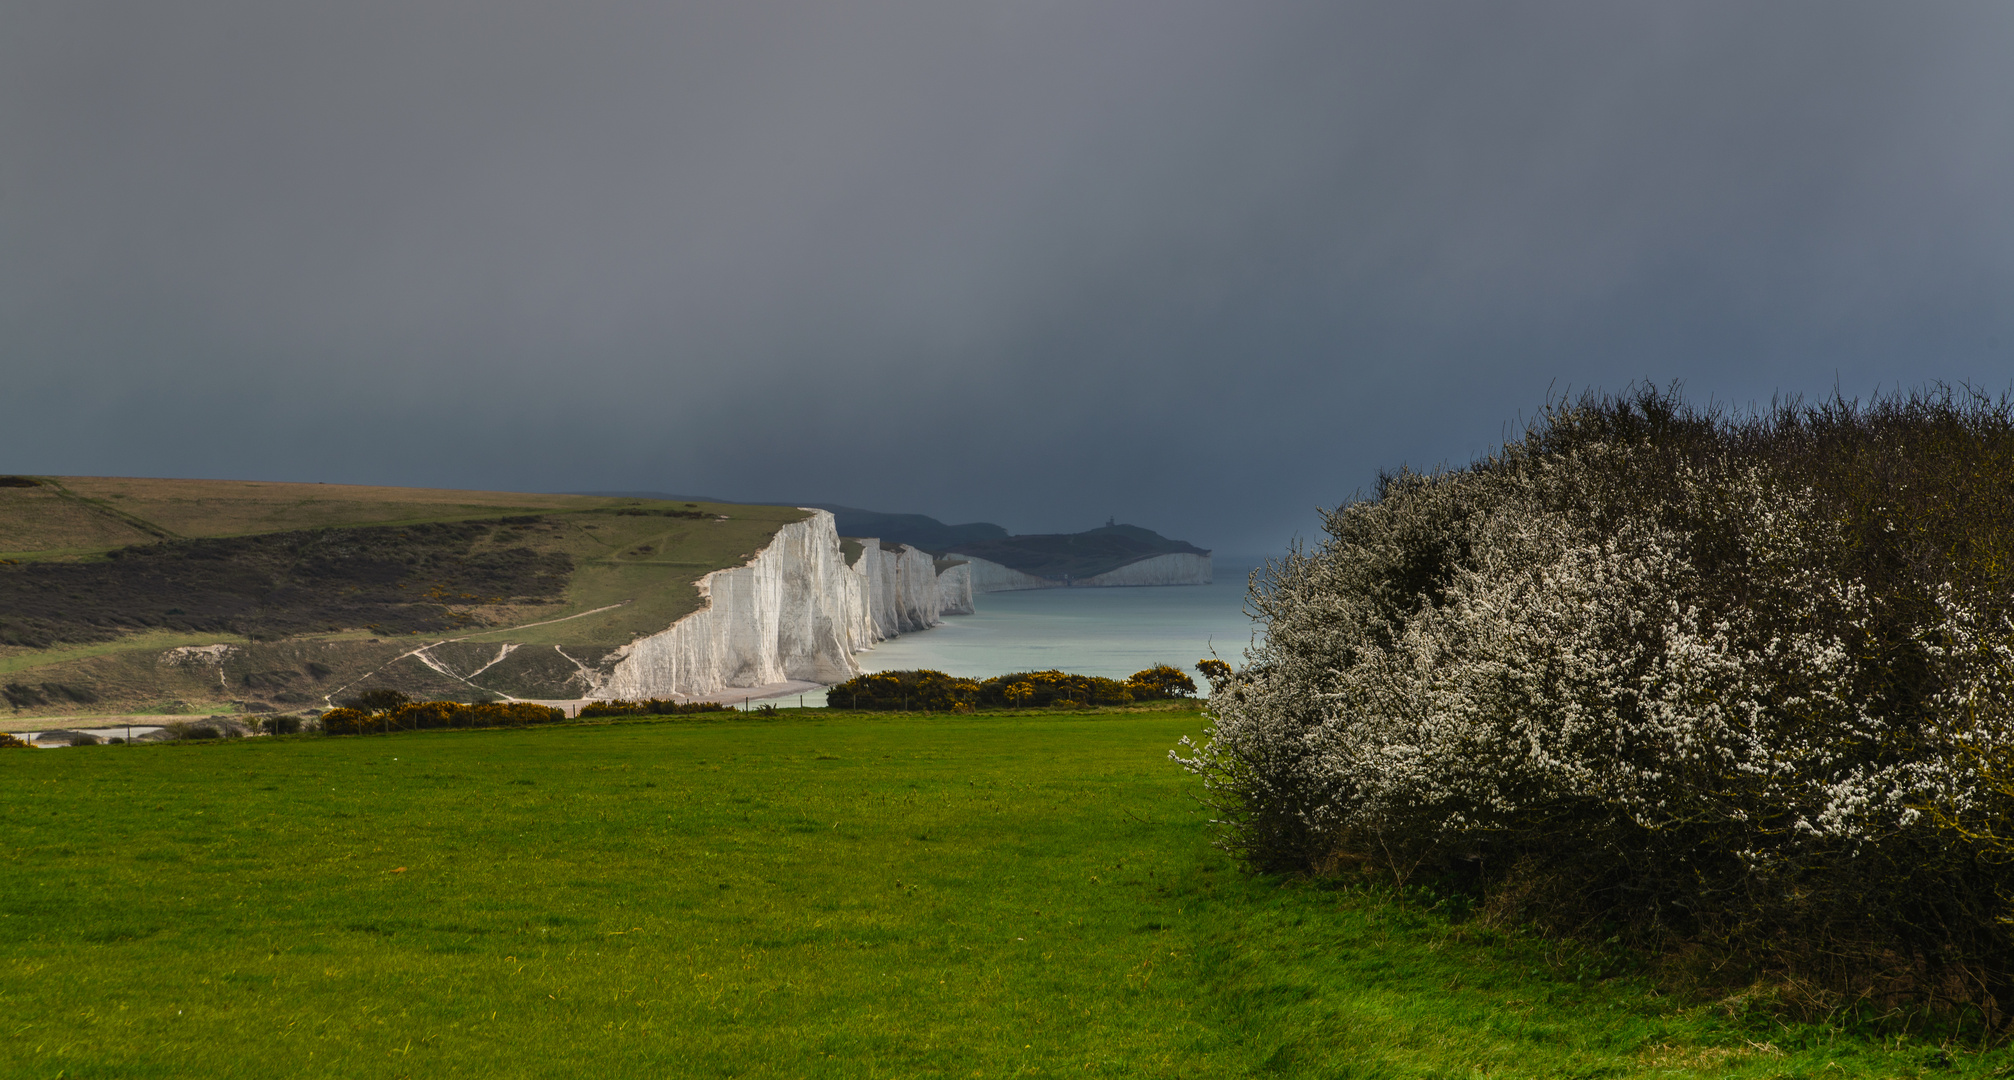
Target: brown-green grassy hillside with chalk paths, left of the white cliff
{"points": [[315, 587]]}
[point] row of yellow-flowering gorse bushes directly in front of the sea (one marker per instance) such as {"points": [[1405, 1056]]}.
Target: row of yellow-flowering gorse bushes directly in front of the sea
{"points": [[1024, 690]]}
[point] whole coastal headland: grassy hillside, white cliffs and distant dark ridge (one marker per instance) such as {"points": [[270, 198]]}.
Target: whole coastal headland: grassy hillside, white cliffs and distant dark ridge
{"points": [[188, 597]]}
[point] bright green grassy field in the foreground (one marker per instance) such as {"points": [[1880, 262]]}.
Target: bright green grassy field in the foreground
{"points": [[813, 896]]}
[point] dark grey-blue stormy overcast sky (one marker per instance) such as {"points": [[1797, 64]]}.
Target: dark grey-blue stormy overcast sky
{"points": [[1199, 267]]}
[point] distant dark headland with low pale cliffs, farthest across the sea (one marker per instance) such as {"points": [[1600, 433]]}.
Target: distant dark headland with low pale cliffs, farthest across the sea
{"points": [[1103, 557]]}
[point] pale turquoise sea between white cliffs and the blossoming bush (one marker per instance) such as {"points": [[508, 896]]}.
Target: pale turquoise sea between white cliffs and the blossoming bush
{"points": [[1085, 632]]}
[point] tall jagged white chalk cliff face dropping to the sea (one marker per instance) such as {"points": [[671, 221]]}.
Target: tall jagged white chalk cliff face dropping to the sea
{"points": [[797, 612]]}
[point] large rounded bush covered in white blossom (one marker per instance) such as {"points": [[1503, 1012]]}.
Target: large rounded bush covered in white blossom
{"points": [[1727, 682]]}
